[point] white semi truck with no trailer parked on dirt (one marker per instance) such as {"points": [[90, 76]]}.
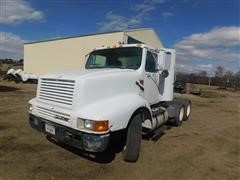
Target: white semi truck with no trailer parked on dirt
{"points": [[126, 88]]}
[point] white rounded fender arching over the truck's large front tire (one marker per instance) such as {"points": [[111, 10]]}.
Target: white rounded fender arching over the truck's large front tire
{"points": [[118, 110]]}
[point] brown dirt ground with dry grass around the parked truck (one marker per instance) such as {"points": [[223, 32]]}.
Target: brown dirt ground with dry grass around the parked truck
{"points": [[205, 147]]}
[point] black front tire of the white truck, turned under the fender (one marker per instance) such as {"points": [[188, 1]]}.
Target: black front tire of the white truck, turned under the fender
{"points": [[134, 137]]}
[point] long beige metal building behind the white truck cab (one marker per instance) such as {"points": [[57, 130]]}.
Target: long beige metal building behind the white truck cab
{"points": [[69, 53]]}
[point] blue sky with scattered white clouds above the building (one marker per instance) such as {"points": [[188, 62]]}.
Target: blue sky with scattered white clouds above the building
{"points": [[205, 33]]}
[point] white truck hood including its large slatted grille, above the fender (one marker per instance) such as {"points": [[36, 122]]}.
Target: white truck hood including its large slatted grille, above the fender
{"points": [[89, 86]]}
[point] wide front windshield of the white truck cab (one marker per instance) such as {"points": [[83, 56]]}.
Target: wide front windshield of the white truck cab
{"points": [[125, 58]]}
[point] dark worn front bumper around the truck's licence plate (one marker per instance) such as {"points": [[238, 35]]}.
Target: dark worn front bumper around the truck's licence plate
{"points": [[72, 137]]}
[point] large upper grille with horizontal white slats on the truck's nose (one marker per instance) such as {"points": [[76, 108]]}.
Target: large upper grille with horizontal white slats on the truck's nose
{"points": [[57, 90]]}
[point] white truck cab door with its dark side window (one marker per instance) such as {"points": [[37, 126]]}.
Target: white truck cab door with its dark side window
{"points": [[151, 78]]}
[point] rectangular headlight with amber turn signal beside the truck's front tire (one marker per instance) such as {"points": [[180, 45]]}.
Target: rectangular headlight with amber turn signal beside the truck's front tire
{"points": [[98, 126]]}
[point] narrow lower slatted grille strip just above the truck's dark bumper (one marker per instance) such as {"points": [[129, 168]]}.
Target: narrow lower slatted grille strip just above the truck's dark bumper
{"points": [[48, 113]]}
